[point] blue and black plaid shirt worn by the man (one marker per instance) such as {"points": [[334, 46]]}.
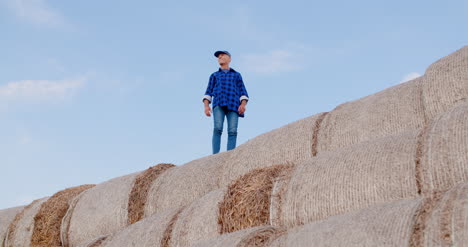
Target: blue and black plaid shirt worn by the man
{"points": [[226, 89]]}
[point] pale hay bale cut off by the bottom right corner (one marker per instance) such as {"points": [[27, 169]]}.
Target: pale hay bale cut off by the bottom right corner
{"points": [[447, 223]]}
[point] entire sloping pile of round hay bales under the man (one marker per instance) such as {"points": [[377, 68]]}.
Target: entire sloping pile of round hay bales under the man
{"points": [[390, 169]]}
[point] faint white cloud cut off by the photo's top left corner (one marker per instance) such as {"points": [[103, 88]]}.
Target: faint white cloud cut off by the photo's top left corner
{"points": [[35, 11]]}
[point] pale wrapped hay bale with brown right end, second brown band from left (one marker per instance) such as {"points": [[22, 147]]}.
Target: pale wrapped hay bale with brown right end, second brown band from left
{"points": [[108, 207]]}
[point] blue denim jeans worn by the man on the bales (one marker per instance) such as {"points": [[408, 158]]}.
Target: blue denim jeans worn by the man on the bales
{"points": [[232, 118]]}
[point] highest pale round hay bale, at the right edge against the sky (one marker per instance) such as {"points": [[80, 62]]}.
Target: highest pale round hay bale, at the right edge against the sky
{"points": [[446, 83]]}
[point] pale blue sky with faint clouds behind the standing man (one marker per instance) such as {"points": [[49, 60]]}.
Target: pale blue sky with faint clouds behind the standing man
{"points": [[91, 90]]}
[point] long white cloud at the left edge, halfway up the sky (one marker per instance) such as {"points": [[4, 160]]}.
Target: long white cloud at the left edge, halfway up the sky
{"points": [[40, 89]]}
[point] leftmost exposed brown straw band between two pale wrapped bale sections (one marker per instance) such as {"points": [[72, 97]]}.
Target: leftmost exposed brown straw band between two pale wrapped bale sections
{"points": [[49, 218]]}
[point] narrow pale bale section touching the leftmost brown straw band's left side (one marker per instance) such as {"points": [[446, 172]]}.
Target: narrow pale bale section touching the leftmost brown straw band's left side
{"points": [[21, 229]]}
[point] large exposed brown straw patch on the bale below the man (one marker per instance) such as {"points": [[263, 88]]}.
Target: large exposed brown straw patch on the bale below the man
{"points": [[248, 199]]}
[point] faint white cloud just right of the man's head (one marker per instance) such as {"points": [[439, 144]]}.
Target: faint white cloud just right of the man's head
{"points": [[271, 62]]}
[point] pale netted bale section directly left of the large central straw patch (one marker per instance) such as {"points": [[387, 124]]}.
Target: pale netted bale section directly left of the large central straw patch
{"points": [[198, 221]]}
